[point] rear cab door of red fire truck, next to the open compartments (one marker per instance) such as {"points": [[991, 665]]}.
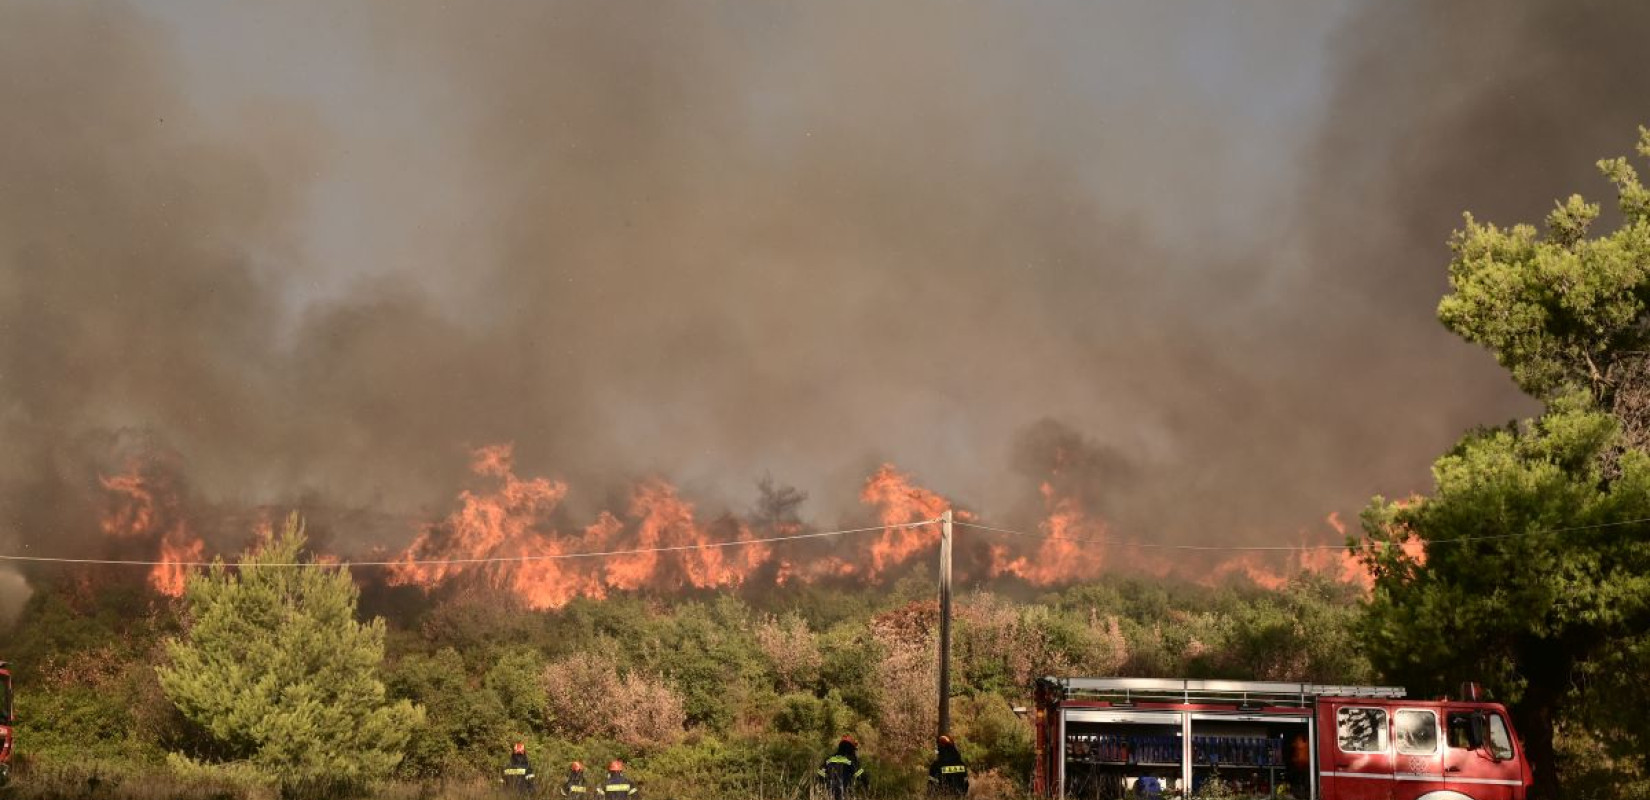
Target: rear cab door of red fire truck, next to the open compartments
{"points": [[1355, 753]]}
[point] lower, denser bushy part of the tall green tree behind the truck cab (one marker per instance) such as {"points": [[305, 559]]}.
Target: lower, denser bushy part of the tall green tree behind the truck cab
{"points": [[1547, 621]]}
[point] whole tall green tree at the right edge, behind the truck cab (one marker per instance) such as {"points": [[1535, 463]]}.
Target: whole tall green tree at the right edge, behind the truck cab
{"points": [[1535, 576]]}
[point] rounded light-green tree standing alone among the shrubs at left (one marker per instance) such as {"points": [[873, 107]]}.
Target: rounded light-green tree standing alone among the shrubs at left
{"points": [[278, 672]]}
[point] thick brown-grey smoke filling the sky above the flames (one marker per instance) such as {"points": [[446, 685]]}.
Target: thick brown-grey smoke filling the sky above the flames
{"points": [[1176, 263]]}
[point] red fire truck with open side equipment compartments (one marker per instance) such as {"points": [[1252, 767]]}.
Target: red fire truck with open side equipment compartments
{"points": [[1113, 738]]}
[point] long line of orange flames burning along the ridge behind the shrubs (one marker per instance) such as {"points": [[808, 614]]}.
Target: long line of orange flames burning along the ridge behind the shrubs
{"points": [[512, 534]]}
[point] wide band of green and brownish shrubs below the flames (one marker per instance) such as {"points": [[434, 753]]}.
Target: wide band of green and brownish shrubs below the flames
{"points": [[702, 697]]}
